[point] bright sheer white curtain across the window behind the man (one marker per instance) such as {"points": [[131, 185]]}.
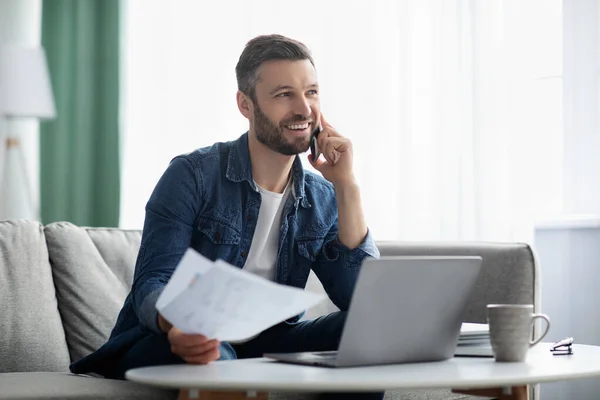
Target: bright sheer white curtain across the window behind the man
{"points": [[453, 106]]}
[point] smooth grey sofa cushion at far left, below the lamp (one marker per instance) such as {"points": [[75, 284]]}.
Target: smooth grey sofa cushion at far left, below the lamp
{"points": [[31, 333]]}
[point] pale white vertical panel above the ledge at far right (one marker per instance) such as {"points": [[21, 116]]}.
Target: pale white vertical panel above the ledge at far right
{"points": [[581, 70]]}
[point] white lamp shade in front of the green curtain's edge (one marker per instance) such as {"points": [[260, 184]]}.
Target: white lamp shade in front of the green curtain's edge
{"points": [[25, 89]]}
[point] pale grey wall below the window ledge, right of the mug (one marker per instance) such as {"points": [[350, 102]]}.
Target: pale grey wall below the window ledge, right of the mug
{"points": [[569, 257]]}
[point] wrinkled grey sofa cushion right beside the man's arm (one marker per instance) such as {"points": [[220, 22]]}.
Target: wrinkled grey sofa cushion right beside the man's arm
{"points": [[93, 273]]}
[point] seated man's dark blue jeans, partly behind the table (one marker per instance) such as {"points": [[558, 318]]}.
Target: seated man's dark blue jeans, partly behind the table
{"points": [[319, 334]]}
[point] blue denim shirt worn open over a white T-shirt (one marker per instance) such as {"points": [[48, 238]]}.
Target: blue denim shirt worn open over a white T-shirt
{"points": [[208, 200]]}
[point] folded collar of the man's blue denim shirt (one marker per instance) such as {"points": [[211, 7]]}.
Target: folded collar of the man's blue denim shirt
{"points": [[239, 168]]}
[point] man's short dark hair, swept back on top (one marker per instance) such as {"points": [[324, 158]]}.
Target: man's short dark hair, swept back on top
{"points": [[265, 48]]}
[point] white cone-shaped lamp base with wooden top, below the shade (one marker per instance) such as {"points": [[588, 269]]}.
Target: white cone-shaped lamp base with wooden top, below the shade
{"points": [[16, 201]]}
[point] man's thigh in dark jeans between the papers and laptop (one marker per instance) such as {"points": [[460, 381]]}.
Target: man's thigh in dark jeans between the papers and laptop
{"points": [[319, 334]]}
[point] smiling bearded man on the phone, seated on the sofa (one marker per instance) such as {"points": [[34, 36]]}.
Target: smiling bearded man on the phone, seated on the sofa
{"points": [[250, 203]]}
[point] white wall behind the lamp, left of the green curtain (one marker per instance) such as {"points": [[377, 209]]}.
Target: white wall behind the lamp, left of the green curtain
{"points": [[20, 24]]}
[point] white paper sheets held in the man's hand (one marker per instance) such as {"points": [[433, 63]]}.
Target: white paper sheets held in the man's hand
{"points": [[221, 301]]}
